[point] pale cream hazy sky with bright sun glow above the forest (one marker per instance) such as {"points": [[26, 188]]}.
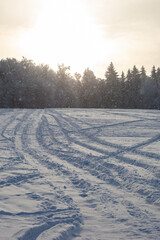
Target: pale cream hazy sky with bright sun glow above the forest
{"points": [[82, 33]]}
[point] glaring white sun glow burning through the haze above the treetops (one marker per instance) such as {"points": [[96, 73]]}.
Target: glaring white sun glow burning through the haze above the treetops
{"points": [[64, 33]]}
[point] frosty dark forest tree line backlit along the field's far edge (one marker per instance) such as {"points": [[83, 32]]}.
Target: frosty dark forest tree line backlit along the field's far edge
{"points": [[23, 84]]}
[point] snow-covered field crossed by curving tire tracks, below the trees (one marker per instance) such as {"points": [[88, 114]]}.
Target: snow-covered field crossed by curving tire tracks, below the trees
{"points": [[79, 174]]}
